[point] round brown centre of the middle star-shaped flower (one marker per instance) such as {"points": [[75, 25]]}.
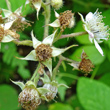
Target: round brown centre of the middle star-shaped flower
{"points": [[43, 52]]}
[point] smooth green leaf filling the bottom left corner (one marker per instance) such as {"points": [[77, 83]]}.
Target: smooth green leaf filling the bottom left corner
{"points": [[8, 98]]}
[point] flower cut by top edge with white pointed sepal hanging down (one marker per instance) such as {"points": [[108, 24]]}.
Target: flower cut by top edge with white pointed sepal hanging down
{"points": [[36, 4]]}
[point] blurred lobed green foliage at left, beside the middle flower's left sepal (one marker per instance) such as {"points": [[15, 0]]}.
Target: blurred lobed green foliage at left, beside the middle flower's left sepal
{"points": [[9, 50]]}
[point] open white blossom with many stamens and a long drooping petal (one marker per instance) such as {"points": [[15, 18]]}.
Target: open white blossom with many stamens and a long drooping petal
{"points": [[96, 28]]}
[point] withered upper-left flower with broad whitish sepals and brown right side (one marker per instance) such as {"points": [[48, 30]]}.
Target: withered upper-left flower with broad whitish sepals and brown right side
{"points": [[15, 20]]}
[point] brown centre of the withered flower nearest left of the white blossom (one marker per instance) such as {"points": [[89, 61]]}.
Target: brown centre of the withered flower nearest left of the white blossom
{"points": [[65, 19]]}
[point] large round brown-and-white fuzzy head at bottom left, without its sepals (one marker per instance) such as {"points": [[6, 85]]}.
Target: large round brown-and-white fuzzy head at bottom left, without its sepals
{"points": [[29, 98]]}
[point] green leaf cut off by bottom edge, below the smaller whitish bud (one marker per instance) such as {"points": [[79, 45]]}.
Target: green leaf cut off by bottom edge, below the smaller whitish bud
{"points": [[60, 106]]}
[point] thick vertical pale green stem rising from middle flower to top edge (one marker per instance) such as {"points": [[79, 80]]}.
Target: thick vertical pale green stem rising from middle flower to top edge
{"points": [[47, 17]]}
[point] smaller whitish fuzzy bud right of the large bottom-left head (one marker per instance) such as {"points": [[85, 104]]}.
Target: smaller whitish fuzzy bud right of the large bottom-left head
{"points": [[50, 95]]}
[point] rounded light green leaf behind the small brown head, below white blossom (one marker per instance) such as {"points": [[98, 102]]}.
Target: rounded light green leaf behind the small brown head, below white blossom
{"points": [[91, 52]]}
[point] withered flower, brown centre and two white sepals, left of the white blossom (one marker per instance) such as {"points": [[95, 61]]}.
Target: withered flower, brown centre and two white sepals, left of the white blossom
{"points": [[65, 19]]}
